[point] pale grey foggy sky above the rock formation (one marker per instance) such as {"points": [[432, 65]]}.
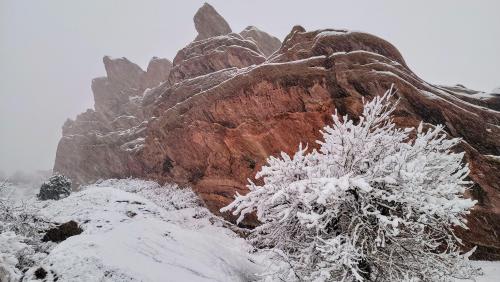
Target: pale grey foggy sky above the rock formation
{"points": [[50, 50]]}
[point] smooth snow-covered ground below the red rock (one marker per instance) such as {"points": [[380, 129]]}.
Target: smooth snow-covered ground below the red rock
{"points": [[138, 231]]}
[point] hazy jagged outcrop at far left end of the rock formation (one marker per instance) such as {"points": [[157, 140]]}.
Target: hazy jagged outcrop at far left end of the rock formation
{"points": [[101, 143]]}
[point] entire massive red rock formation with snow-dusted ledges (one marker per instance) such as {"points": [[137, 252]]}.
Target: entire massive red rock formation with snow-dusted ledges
{"points": [[228, 103]]}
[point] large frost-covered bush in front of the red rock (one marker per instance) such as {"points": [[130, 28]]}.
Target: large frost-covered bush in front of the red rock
{"points": [[372, 204]]}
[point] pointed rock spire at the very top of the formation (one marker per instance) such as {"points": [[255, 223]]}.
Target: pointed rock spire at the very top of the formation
{"points": [[209, 23]]}
